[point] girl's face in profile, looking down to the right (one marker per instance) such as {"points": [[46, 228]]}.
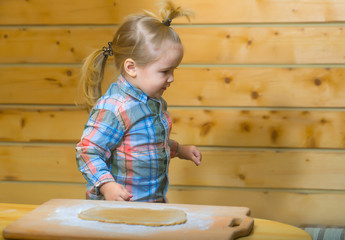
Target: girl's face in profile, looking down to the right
{"points": [[154, 78]]}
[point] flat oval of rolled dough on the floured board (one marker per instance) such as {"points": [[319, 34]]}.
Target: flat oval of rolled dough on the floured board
{"points": [[135, 216]]}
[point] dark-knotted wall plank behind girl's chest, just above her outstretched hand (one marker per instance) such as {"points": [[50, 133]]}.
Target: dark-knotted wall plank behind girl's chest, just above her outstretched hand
{"points": [[210, 127]]}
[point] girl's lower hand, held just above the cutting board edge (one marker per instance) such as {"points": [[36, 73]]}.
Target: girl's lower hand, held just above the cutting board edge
{"points": [[115, 192]]}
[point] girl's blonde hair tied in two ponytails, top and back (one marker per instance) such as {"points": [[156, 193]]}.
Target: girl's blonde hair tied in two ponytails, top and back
{"points": [[138, 37]]}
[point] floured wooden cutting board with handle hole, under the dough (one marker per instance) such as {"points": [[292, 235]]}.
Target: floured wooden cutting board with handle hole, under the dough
{"points": [[58, 219]]}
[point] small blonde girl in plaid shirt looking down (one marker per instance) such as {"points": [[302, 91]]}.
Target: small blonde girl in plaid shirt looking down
{"points": [[125, 149]]}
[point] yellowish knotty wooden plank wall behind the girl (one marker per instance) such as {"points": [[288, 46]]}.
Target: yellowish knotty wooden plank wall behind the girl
{"points": [[260, 90]]}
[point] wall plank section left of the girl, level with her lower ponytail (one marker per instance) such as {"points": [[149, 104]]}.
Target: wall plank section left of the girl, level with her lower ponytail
{"points": [[44, 84]]}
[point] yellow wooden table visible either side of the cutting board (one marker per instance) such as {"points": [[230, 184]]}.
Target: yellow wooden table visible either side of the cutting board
{"points": [[263, 229]]}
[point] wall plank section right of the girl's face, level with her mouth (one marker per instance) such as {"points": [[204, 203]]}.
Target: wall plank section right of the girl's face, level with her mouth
{"points": [[285, 87]]}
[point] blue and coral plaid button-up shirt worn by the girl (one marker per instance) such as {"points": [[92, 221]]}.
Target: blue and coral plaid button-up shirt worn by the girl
{"points": [[126, 140]]}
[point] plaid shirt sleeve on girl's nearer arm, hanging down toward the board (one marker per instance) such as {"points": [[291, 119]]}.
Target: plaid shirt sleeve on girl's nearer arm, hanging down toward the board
{"points": [[102, 133]]}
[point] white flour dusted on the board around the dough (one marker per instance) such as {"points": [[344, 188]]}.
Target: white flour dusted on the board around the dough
{"points": [[67, 216]]}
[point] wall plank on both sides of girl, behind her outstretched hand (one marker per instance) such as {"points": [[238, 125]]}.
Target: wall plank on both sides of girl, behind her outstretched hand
{"points": [[304, 169]]}
